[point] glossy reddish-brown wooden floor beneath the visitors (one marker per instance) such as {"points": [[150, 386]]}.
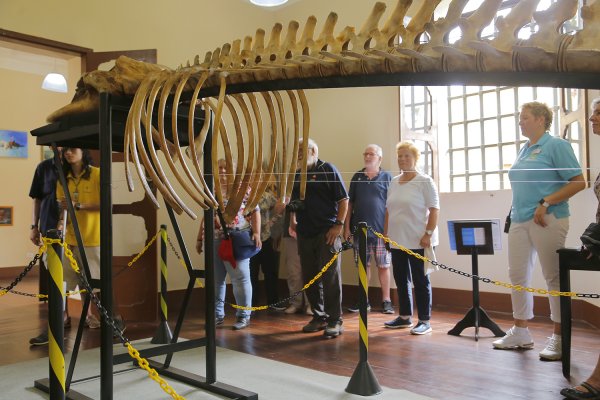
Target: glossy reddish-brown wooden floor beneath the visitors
{"points": [[435, 365]]}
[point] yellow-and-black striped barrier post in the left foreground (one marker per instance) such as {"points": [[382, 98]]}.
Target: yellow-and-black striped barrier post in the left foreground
{"points": [[56, 330]]}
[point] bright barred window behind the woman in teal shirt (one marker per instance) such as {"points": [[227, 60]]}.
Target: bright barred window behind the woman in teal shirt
{"points": [[469, 136]]}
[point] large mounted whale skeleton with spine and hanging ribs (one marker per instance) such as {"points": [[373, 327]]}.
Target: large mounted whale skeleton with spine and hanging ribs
{"points": [[260, 116]]}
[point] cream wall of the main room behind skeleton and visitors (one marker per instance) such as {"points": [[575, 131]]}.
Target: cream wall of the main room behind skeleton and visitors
{"points": [[343, 121]]}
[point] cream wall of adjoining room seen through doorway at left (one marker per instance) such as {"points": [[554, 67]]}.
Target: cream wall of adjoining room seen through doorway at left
{"points": [[24, 106]]}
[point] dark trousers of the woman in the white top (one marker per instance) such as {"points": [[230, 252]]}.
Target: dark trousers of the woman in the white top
{"points": [[409, 269]]}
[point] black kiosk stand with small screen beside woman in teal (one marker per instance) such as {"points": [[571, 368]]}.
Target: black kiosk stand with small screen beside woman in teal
{"points": [[474, 237]]}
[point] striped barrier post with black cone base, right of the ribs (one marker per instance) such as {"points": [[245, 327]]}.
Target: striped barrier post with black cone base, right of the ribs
{"points": [[363, 381]]}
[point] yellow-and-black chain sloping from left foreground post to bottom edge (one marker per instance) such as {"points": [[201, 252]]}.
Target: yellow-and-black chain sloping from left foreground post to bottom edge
{"points": [[142, 362]]}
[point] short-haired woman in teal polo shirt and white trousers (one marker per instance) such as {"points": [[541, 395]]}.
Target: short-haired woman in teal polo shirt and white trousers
{"points": [[543, 178]]}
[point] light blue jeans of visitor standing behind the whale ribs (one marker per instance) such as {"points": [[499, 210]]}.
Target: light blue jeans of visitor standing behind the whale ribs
{"points": [[240, 280]]}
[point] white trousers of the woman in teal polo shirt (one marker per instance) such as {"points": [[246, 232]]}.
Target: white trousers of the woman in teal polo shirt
{"points": [[526, 242]]}
